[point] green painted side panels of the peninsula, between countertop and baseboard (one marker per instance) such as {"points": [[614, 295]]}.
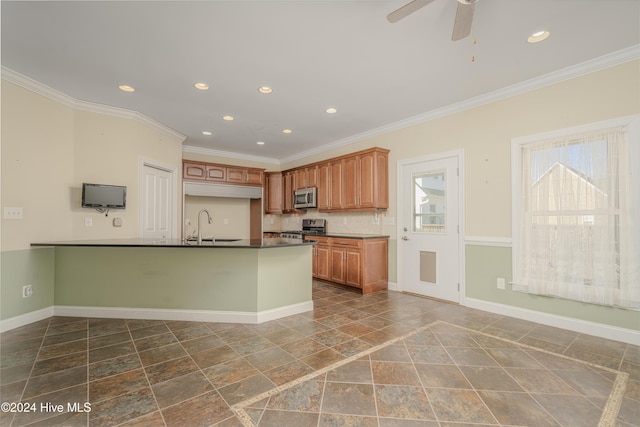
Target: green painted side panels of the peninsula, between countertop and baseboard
{"points": [[181, 278]]}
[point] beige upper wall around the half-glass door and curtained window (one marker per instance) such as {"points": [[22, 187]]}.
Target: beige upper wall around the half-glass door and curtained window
{"points": [[485, 133]]}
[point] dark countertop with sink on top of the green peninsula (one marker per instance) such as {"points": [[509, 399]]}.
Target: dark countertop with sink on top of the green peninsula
{"points": [[177, 243]]}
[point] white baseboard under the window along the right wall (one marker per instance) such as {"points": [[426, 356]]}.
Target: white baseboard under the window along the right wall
{"points": [[629, 336]]}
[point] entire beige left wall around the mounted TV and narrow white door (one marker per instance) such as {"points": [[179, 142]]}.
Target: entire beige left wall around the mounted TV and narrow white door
{"points": [[49, 150]]}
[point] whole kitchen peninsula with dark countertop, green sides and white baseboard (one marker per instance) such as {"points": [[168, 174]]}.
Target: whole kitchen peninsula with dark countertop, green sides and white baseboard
{"points": [[244, 281]]}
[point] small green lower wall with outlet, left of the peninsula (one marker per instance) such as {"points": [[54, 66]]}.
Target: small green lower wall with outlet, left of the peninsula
{"points": [[33, 267]]}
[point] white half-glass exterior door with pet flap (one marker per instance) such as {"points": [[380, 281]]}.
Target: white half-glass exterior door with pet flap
{"points": [[429, 242]]}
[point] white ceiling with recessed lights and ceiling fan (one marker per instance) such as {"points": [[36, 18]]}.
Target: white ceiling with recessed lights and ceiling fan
{"points": [[315, 54]]}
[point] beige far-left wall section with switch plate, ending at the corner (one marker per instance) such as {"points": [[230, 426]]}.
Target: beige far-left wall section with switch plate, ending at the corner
{"points": [[37, 167]]}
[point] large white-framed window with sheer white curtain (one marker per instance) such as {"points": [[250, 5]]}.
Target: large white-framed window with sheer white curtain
{"points": [[576, 231]]}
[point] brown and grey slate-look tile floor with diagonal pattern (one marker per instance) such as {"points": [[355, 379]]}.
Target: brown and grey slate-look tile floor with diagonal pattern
{"points": [[385, 359]]}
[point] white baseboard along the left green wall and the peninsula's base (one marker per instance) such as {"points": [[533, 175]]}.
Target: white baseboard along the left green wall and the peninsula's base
{"points": [[157, 314]]}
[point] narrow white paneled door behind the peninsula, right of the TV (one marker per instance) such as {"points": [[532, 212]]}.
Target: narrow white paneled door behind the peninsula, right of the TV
{"points": [[156, 203]]}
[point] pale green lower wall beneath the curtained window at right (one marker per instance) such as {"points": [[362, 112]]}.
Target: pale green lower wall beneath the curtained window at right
{"points": [[484, 264]]}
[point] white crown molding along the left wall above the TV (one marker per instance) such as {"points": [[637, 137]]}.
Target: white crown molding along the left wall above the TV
{"points": [[91, 107]]}
